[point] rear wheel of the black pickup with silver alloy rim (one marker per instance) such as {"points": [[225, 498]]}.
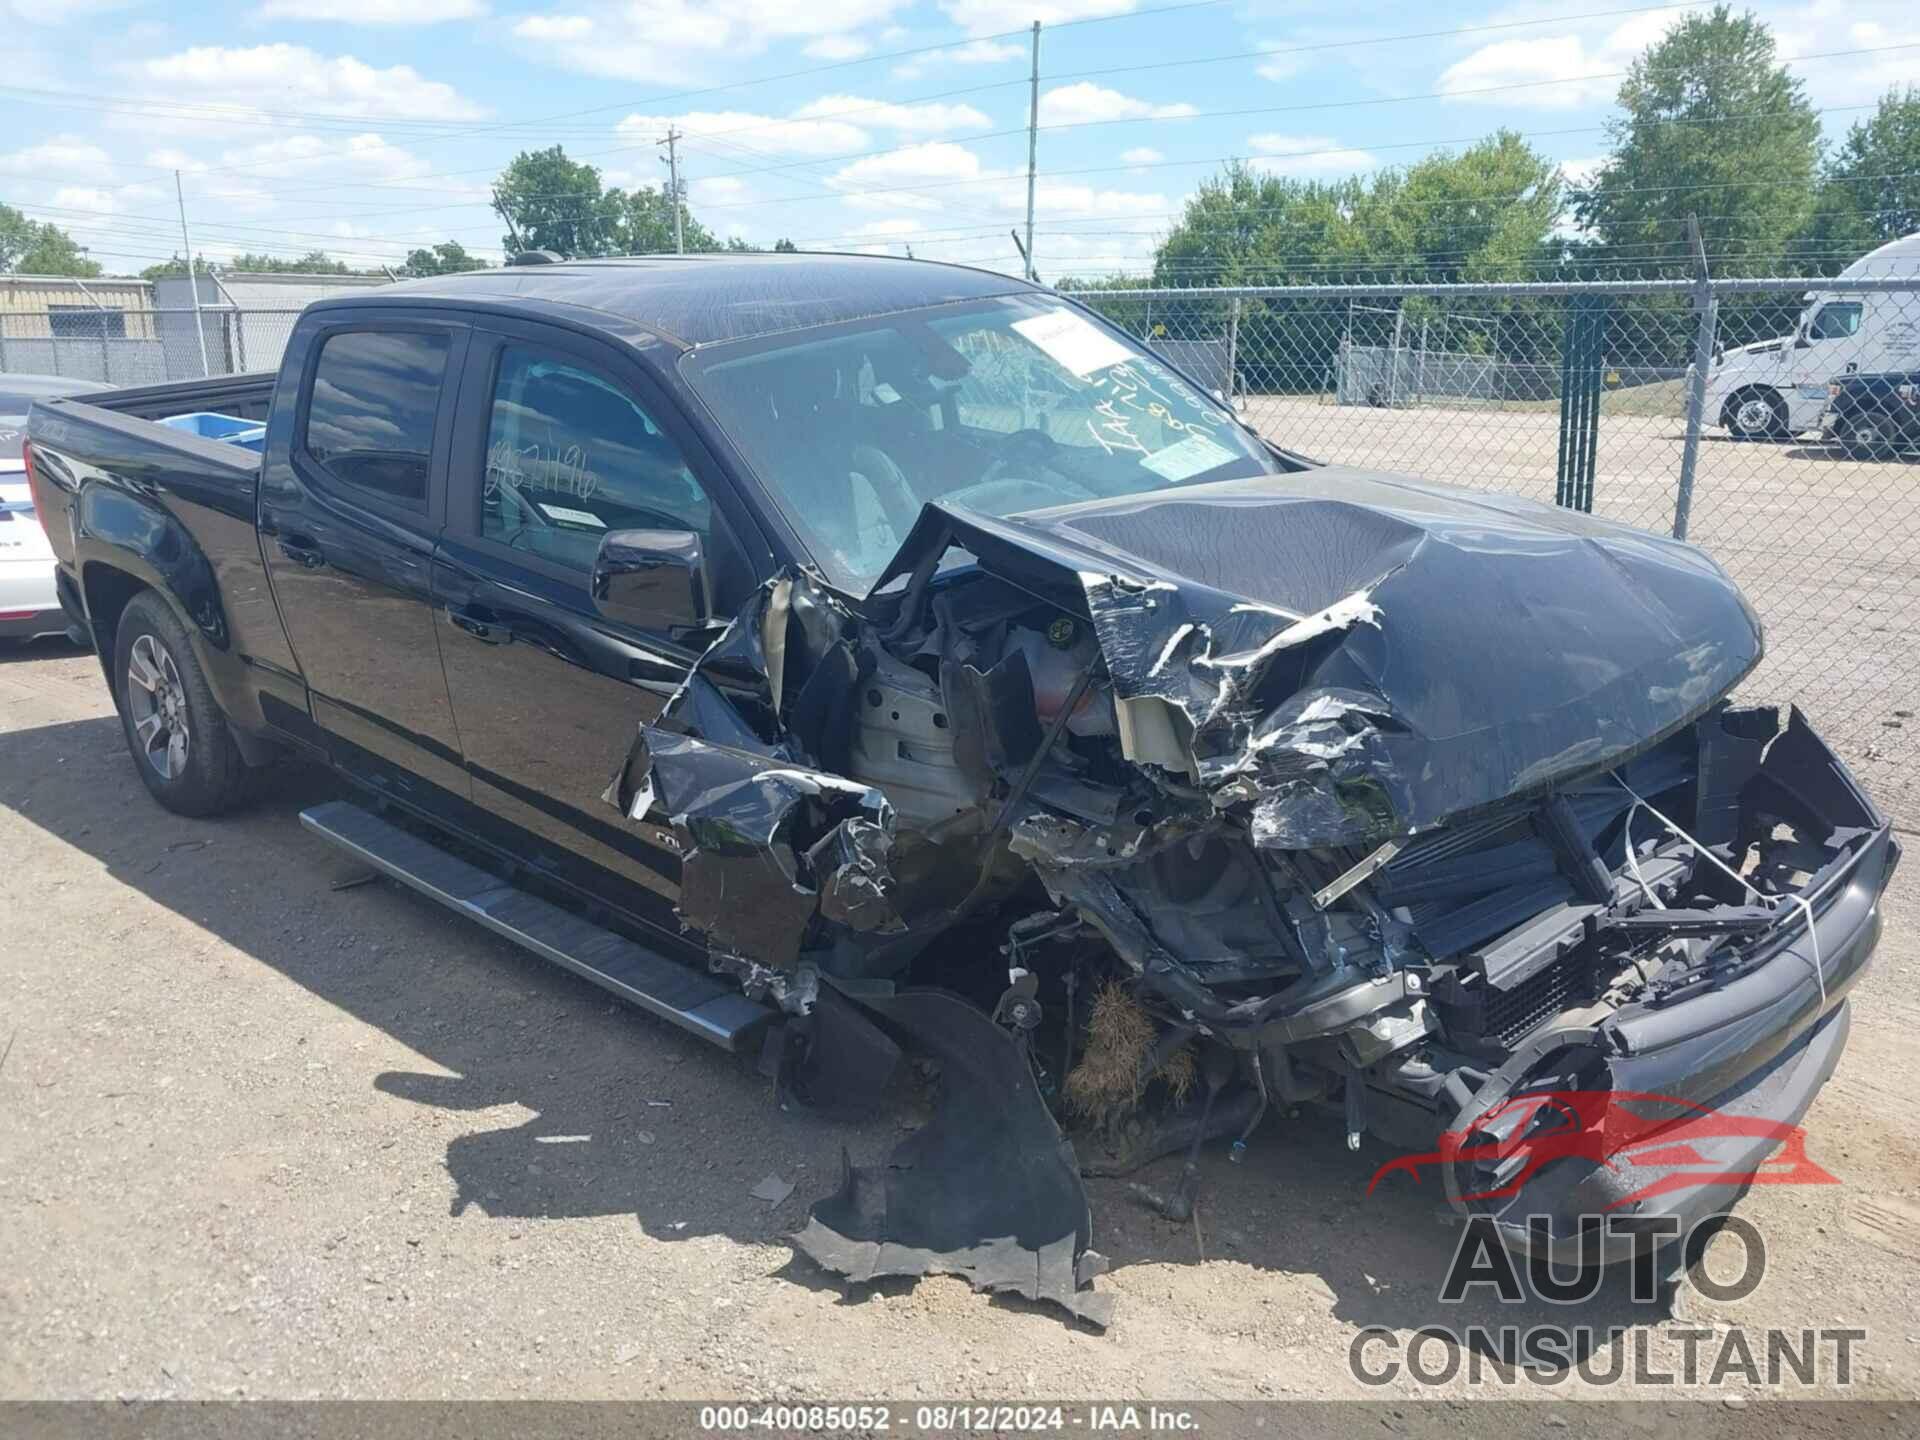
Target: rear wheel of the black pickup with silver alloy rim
{"points": [[176, 731]]}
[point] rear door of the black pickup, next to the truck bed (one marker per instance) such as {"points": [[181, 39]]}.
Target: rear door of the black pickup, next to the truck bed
{"points": [[348, 517]]}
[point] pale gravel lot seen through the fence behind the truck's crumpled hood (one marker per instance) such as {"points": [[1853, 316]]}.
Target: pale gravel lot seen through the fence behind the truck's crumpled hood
{"points": [[1827, 548]]}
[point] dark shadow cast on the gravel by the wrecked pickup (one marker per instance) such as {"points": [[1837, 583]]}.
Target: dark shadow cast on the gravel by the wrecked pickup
{"points": [[625, 1115]]}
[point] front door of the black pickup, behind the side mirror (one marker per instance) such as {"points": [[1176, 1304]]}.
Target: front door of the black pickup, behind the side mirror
{"points": [[564, 441]]}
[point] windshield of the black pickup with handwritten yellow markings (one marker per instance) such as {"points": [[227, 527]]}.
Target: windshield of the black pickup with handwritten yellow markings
{"points": [[1009, 406]]}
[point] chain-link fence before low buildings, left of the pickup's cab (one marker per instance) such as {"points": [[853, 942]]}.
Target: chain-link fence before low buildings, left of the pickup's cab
{"points": [[143, 347]]}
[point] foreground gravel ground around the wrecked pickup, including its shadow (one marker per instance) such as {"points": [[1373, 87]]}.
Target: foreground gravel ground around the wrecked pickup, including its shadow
{"points": [[274, 1140]]}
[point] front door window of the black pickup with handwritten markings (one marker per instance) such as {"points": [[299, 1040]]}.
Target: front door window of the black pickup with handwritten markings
{"points": [[573, 456]]}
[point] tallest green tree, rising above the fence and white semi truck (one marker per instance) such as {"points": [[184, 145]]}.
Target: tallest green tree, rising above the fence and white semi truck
{"points": [[1714, 126]]}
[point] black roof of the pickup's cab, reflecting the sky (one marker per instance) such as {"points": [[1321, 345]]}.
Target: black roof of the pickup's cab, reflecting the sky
{"points": [[702, 300]]}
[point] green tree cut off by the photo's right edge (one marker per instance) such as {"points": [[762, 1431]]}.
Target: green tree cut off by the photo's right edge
{"points": [[1871, 187]]}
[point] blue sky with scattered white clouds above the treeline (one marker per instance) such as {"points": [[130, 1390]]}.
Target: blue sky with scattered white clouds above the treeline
{"points": [[370, 128]]}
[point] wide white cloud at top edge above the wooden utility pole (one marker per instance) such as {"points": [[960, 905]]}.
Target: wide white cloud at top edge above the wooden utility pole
{"points": [[663, 41]]}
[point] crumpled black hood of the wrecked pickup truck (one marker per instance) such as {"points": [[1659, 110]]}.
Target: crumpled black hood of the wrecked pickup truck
{"points": [[1356, 656]]}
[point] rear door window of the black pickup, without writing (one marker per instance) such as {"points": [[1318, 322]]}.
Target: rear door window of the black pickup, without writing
{"points": [[372, 416]]}
